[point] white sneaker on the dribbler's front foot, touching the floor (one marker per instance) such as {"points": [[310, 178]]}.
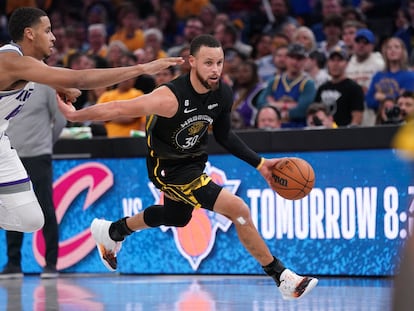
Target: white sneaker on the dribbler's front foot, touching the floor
{"points": [[293, 286]]}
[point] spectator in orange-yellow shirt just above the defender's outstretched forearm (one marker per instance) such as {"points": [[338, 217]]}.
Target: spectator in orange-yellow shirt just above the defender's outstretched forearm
{"points": [[128, 28]]}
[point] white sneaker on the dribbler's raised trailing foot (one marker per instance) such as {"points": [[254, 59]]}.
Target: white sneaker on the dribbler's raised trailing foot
{"points": [[107, 247]]}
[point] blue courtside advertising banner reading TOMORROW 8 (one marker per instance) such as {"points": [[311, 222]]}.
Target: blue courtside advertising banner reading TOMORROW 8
{"points": [[354, 221]]}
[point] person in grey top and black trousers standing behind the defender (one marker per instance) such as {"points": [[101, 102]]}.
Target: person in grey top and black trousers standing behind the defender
{"points": [[32, 133]]}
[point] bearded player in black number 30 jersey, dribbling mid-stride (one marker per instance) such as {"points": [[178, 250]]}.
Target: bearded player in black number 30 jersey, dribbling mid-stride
{"points": [[179, 115]]}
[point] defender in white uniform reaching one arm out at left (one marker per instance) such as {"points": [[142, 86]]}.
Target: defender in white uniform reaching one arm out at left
{"points": [[21, 64]]}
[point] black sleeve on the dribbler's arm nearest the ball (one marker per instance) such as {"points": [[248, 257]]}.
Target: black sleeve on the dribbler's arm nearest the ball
{"points": [[226, 137]]}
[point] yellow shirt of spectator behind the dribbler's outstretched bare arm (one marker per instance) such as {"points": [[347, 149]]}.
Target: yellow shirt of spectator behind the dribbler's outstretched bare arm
{"points": [[115, 129]]}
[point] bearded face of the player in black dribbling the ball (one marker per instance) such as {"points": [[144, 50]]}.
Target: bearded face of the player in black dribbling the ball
{"points": [[208, 65]]}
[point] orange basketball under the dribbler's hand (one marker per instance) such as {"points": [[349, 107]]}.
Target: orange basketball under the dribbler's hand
{"points": [[292, 178]]}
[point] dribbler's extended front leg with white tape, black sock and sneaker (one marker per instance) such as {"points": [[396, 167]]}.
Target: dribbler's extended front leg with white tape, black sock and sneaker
{"points": [[290, 284]]}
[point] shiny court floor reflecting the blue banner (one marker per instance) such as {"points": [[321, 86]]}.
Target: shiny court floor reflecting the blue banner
{"points": [[76, 292]]}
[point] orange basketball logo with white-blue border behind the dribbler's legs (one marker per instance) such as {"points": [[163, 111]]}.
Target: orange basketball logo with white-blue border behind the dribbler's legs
{"points": [[196, 240]]}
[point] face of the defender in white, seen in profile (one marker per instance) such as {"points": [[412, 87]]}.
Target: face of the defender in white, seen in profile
{"points": [[43, 38]]}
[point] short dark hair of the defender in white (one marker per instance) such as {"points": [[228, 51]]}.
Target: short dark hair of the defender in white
{"points": [[22, 18]]}
